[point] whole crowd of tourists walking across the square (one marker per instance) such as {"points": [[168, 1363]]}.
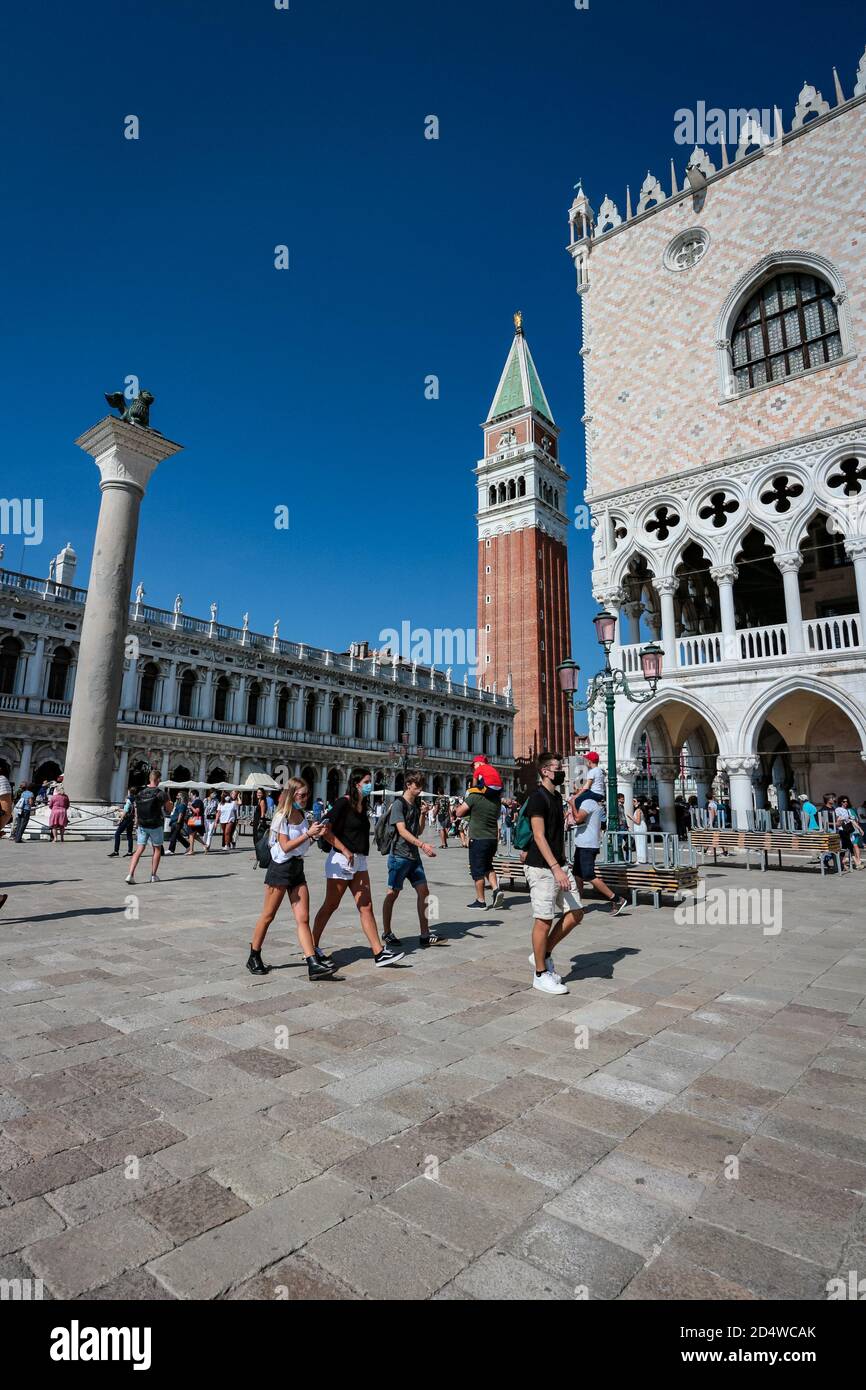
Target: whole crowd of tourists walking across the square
{"points": [[558, 836]]}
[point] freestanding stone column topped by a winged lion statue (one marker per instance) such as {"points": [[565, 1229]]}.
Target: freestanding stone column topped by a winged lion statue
{"points": [[126, 455]]}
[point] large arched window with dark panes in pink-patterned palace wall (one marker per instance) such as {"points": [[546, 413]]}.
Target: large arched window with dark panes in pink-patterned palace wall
{"points": [[787, 327]]}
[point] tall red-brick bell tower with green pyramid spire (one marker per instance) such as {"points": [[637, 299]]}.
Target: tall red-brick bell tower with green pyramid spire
{"points": [[525, 626]]}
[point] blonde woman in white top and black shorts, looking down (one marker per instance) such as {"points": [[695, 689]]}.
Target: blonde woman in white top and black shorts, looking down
{"points": [[290, 842]]}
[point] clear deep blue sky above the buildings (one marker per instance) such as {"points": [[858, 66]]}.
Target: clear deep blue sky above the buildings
{"points": [[408, 258]]}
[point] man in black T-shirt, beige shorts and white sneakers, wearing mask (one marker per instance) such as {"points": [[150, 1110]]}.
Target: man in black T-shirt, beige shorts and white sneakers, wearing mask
{"points": [[553, 888]]}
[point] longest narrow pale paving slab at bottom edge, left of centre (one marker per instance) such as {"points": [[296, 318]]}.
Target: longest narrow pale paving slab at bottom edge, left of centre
{"points": [[212, 1263]]}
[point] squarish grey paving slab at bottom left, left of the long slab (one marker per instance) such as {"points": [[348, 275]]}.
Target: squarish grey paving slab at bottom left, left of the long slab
{"points": [[87, 1257]]}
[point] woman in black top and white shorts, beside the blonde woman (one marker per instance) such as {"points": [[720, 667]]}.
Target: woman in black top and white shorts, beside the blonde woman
{"points": [[348, 833]]}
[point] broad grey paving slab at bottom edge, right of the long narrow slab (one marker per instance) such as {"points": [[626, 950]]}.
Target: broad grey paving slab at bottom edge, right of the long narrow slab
{"points": [[384, 1259]]}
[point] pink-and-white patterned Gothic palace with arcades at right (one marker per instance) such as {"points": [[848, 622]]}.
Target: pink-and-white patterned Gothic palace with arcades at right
{"points": [[724, 337]]}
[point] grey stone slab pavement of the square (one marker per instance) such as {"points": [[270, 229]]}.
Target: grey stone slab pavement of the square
{"points": [[173, 1128]]}
